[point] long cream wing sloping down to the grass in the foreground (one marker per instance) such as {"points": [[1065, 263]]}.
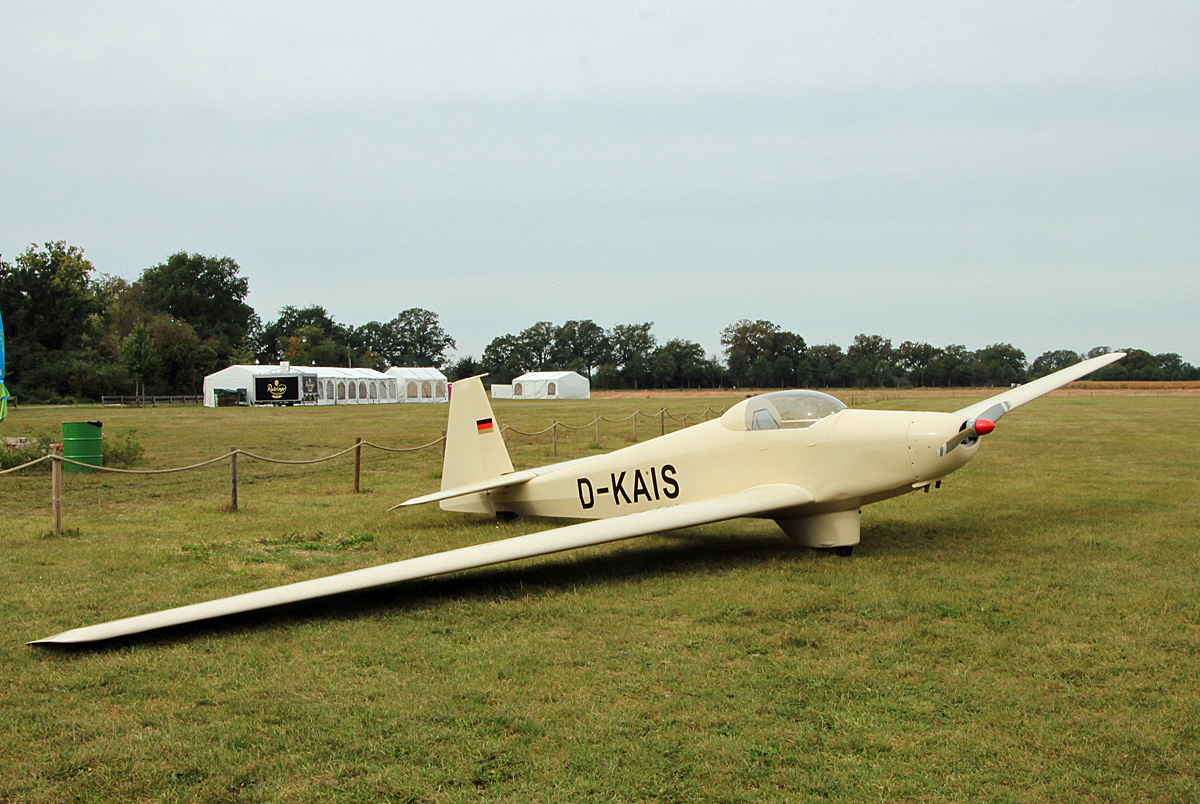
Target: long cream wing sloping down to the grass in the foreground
{"points": [[752, 502]]}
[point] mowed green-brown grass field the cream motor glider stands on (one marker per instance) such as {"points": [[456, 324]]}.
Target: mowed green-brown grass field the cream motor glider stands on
{"points": [[1031, 632]]}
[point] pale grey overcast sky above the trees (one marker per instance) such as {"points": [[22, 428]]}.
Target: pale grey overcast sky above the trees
{"points": [[943, 172]]}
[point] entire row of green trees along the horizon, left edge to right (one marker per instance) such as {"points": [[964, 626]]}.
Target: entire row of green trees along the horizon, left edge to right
{"points": [[77, 334]]}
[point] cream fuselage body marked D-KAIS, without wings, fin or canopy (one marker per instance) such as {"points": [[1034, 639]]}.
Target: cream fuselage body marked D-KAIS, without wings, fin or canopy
{"points": [[845, 460]]}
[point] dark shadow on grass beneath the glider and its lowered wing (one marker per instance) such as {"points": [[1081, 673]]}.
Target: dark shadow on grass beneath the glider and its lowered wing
{"points": [[677, 553]]}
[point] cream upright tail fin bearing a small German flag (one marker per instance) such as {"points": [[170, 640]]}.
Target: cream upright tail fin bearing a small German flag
{"points": [[475, 447]]}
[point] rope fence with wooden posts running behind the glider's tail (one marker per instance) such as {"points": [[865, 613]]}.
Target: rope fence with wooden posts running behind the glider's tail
{"points": [[58, 460]]}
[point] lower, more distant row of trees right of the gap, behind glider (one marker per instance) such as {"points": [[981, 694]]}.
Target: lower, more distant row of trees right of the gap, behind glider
{"points": [[761, 355]]}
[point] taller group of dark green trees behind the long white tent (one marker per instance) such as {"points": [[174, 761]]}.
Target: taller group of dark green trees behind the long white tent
{"points": [[75, 334]]}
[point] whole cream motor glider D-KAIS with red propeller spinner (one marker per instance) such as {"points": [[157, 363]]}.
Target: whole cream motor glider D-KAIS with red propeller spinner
{"points": [[802, 459]]}
